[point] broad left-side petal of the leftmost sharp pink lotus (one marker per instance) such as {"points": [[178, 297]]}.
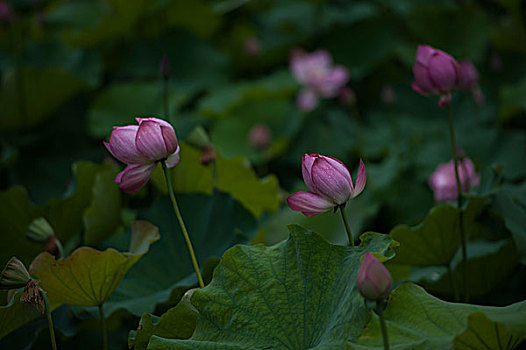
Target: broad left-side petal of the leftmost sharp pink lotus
{"points": [[122, 145]]}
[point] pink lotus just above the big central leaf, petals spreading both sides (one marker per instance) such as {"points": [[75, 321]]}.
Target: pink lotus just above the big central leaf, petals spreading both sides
{"points": [[329, 183]]}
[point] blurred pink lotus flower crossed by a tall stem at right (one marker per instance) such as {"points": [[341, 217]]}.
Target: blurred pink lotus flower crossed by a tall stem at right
{"points": [[443, 181]]}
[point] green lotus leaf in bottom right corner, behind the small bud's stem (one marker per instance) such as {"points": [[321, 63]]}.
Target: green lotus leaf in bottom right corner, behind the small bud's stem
{"points": [[417, 320]]}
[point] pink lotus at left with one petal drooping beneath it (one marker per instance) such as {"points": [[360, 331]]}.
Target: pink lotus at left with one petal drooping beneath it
{"points": [[141, 147]]}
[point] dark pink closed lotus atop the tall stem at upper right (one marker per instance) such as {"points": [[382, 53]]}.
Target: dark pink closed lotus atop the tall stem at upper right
{"points": [[436, 73]]}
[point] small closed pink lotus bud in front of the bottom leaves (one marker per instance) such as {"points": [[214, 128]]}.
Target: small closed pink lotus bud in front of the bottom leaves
{"points": [[373, 280]]}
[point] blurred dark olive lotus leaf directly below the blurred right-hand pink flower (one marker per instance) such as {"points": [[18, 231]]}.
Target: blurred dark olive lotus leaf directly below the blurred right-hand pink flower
{"points": [[435, 241]]}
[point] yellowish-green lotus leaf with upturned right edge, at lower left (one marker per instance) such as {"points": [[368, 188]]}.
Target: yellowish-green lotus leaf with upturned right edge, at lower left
{"points": [[88, 276]]}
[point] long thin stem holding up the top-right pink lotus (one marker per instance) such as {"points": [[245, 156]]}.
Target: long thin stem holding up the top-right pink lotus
{"points": [[459, 204]]}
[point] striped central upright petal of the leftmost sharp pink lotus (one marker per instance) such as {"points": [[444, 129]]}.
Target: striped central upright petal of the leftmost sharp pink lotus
{"points": [[150, 141]]}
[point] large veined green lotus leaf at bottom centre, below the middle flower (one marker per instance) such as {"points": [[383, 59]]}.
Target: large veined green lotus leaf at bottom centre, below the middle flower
{"points": [[298, 294]]}
